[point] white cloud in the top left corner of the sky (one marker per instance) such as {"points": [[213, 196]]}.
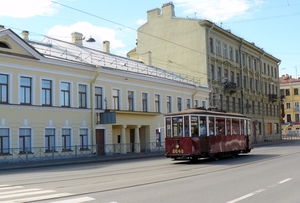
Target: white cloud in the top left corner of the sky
{"points": [[27, 8]]}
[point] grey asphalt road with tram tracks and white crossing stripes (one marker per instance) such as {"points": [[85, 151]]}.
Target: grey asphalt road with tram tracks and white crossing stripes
{"points": [[267, 174]]}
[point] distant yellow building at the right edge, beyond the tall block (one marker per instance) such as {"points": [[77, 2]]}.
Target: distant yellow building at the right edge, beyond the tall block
{"points": [[289, 88]]}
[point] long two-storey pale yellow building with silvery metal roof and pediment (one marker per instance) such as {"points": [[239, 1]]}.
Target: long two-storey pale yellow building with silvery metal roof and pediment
{"points": [[60, 96]]}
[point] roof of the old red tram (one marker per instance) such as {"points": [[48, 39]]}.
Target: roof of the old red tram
{"points": [[205, 111]]}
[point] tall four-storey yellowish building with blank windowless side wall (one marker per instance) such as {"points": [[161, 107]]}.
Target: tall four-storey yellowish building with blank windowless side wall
{"points": [[243, 77]]}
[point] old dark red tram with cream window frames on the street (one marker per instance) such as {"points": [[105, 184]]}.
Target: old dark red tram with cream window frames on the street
{"points": [[203, 133]]}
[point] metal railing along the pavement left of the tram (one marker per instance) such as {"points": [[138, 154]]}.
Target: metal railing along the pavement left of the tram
{"points": [[41, 156]]}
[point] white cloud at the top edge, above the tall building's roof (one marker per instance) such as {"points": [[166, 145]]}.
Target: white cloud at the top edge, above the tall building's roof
{"points": [[218, 10]]}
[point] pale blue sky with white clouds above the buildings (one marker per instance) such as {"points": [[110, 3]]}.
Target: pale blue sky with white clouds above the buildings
{"points": [[273, 25]]}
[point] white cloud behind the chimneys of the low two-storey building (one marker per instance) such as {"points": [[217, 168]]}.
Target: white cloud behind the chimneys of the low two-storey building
{"points": [[100, 34]]}
